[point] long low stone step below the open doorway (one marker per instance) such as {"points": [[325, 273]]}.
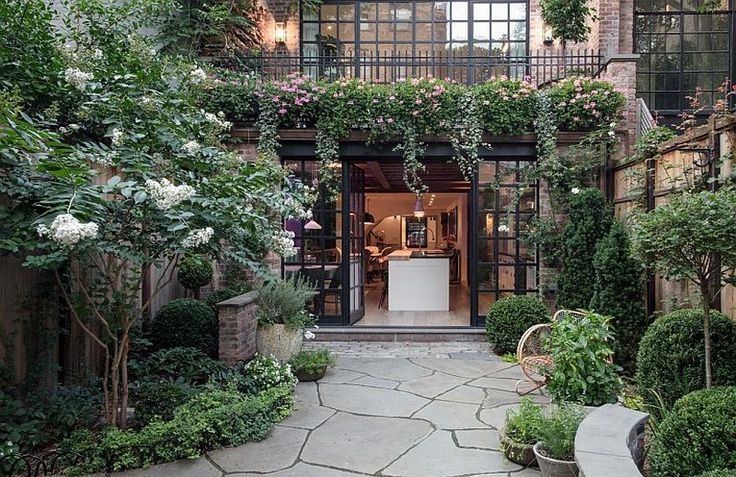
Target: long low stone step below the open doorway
{"points": [[398, 334]]}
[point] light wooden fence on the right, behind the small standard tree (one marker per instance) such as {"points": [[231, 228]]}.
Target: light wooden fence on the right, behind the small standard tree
{"points": [[702, 152]]}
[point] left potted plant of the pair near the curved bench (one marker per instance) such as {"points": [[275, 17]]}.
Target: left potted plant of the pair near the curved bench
{"points": [[521, 432]]}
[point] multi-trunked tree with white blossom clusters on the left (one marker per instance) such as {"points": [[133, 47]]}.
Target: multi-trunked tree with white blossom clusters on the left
{"points": [[130, 177]]}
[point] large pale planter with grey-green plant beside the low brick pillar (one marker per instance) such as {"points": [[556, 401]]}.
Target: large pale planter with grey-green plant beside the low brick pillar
{"points": [[282, 317]]}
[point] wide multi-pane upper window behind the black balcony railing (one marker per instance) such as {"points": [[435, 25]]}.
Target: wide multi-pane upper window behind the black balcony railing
{"points": [[369, 31]]}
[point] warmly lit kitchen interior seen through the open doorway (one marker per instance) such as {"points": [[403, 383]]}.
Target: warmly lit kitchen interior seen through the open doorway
{"points": [[416, 259]]}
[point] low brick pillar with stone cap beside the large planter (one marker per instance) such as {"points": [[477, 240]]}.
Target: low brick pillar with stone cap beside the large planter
{"points": [[237, 328]]}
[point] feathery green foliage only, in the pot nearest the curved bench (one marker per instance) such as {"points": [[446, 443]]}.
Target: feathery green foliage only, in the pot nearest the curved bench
{"points": [[557, 431]]}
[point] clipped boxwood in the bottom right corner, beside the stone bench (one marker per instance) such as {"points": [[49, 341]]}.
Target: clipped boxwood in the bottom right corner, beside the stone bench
{"points": [[699, 435]]}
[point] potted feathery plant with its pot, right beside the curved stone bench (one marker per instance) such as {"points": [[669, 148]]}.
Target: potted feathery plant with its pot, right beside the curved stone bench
{"points": [[555, 451]]}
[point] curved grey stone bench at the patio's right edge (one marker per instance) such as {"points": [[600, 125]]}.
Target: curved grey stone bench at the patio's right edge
{"points": [[609, 442]]}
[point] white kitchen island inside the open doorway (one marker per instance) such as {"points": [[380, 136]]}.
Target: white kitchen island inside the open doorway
{"points": [[419, 280]]}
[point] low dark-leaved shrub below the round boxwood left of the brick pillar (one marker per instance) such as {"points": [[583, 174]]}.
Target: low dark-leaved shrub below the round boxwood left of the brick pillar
{"points": [[187, 364]]}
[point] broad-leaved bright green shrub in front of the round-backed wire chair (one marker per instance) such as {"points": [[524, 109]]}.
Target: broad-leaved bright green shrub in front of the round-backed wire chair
{"points": [[581, 349]]}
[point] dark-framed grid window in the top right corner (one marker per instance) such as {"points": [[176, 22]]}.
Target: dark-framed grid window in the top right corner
{"points": [[682, 47]]}
